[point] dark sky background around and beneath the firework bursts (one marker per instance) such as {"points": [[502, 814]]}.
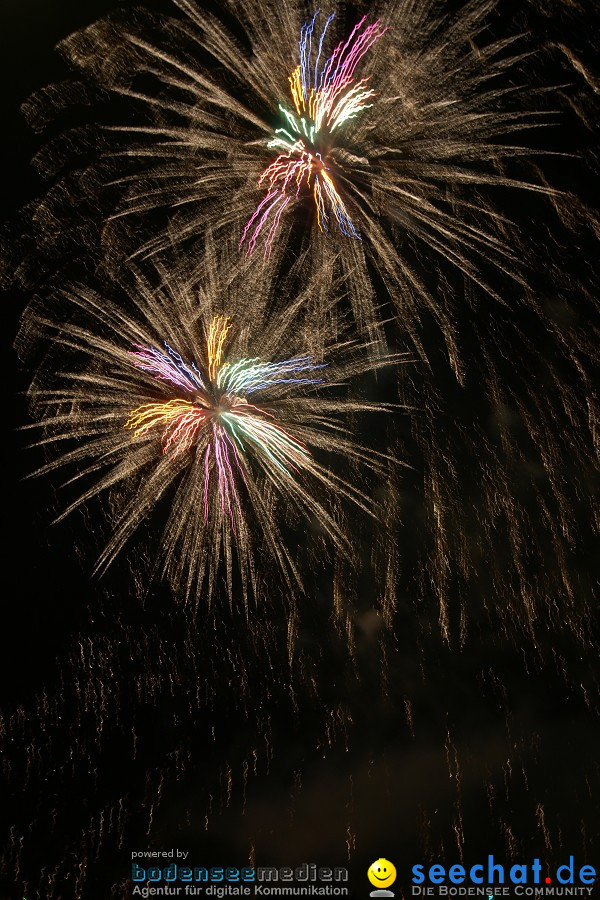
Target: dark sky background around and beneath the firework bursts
{"points": [[491, 705]]}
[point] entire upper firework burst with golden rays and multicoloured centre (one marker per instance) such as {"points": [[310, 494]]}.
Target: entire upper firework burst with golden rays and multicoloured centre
{"points": [[405, 129]]}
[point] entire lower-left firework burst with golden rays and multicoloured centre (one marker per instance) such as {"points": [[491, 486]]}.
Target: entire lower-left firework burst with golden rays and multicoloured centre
{"points": [[190, 398]]}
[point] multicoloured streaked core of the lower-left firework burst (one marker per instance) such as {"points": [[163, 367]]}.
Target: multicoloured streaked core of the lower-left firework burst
{"points": [[212, 416]]}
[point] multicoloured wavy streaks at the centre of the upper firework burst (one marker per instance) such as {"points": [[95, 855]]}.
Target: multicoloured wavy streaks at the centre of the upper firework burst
{"points": [[325, 95]]}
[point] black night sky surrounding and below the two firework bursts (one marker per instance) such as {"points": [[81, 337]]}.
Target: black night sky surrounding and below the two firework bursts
{"points": [[486, 745]]}
